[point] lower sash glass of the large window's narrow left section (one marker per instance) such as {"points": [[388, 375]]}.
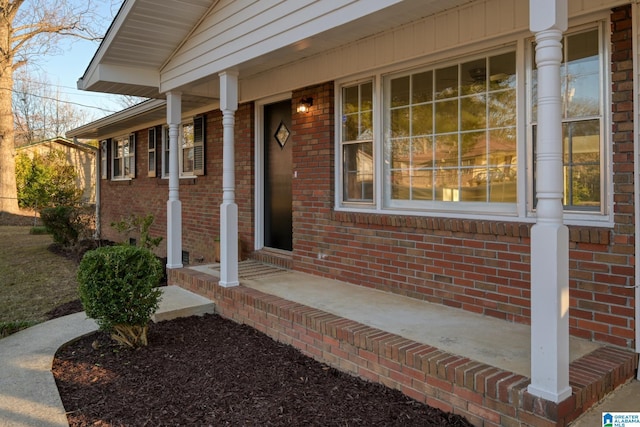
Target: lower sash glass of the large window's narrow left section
{"points": [[358, 171]]}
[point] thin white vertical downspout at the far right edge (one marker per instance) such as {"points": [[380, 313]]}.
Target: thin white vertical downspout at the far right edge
{"points": [[636, 173]]}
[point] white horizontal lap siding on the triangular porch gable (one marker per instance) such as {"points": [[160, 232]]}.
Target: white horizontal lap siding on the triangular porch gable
{"points": [[241, 30]]}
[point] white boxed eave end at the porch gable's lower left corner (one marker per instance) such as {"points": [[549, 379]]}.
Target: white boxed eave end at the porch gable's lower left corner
{"points": [[120, 74]]}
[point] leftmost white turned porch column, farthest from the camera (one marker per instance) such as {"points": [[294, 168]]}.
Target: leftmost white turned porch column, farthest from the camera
{"points": [[174, 206]]}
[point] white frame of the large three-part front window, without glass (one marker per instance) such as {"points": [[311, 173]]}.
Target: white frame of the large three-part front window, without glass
{"points": [[521, 210]]}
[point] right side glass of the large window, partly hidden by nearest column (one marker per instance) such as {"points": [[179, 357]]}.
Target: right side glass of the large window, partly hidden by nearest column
{"points": [[582, 120]]}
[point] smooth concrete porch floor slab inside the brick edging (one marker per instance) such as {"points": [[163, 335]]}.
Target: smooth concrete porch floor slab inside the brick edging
{"points": [[489, 340]]}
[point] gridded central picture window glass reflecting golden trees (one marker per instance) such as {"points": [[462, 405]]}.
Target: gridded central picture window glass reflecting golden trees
{"points": [[451, 133]]}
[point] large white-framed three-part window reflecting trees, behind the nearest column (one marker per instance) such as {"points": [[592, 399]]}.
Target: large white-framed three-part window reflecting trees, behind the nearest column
{"points": [[458, 137]]}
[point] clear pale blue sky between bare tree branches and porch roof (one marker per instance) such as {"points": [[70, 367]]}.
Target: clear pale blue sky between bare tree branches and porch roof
{"points": [[64, 69]]}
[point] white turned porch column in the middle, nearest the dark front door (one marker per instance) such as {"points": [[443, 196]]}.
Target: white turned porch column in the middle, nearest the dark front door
{"points": [[228, 209]]}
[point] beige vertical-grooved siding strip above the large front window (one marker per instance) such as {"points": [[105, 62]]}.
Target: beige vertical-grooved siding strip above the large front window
{"points": [[478, 24]]}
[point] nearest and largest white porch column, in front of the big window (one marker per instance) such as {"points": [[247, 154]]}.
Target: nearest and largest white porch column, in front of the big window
{"points": [[549, 236]]}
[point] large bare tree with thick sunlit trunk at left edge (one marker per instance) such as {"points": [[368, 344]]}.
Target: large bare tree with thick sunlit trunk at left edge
{"points": [[29, 29]]}
